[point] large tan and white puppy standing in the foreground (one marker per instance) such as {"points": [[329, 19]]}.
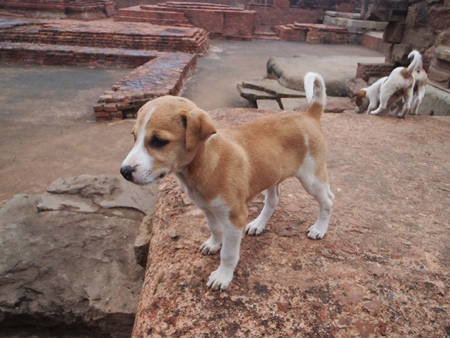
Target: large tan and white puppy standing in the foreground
{"points": [[221, 170]]}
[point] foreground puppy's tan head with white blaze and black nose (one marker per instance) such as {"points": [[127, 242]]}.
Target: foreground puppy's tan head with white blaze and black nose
{"points": [[168, 132]]}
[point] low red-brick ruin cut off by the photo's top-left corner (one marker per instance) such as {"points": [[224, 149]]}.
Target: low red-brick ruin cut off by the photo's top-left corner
{"points": [[76, 9]]}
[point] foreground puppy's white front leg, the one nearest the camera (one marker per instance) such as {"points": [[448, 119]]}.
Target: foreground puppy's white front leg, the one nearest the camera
{"points": [[229, 256]]}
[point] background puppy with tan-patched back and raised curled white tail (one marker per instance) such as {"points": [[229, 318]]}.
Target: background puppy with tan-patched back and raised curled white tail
{"points": [[399, 86]]}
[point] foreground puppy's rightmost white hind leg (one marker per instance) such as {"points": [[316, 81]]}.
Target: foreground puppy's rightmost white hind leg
{"points": [[320, 190]]}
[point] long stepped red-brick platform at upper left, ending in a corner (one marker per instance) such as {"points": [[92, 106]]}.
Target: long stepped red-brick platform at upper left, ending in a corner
{"points": [[137, 36]]}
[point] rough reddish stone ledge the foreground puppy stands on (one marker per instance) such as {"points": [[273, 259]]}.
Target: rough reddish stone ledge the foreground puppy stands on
{"points": [[380, 271]]}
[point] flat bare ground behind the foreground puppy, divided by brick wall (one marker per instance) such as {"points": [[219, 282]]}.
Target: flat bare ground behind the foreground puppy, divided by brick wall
{"points": [[47, 127]]}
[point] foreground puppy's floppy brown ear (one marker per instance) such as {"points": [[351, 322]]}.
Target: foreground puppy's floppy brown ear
{"points": [[199, 127]]}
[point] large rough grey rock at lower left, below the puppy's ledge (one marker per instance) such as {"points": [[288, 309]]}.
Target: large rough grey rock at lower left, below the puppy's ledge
{"points": [[72, 270]]}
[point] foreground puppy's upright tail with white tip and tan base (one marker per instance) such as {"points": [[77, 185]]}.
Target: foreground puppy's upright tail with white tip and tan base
{"points": [[315, 94]]}
